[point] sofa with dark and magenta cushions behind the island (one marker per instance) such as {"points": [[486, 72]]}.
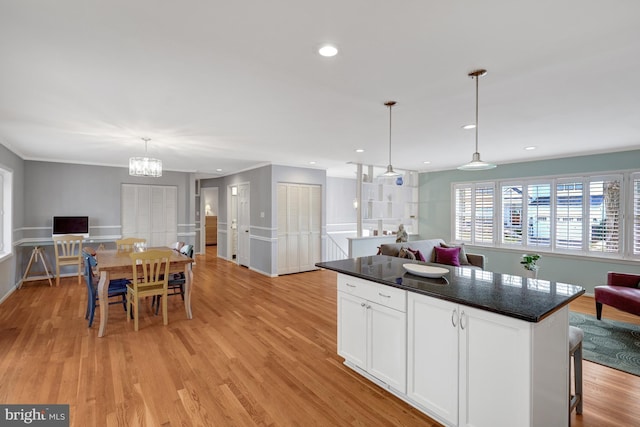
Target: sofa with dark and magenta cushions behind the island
{"points": [[434, 250]]}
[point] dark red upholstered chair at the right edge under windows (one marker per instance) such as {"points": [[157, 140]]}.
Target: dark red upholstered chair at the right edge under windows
{"points": [[621, 292]]}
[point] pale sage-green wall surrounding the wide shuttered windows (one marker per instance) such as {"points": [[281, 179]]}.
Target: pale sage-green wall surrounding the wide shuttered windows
{"points": [[435, 216]]}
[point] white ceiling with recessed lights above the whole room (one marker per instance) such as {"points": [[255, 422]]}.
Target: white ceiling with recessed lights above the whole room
{"points": [[236, 84]]}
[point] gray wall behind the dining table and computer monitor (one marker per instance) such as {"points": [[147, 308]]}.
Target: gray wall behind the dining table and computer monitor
{"points": [[45, 189]]}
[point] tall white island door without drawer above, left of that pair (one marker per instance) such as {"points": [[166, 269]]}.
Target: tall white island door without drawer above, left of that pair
{"points": [[432, 359]]}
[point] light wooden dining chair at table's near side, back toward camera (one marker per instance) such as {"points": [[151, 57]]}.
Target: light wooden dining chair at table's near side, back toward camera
{"points": [[150, 278]]}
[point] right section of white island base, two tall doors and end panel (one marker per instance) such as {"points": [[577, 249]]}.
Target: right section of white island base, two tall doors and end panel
{"points": [[471, 367]]}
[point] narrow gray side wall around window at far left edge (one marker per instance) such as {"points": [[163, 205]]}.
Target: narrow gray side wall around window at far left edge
{"points": [[9, 273]]}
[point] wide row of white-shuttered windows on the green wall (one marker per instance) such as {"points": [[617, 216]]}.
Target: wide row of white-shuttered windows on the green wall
{"points": [[581, 215]]}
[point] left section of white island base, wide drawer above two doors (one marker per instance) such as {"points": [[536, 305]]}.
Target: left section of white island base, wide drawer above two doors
{"points": [[372, 329]]}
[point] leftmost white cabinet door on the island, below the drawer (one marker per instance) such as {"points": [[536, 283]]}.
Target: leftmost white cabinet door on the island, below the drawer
{"points": [[352, 329]]}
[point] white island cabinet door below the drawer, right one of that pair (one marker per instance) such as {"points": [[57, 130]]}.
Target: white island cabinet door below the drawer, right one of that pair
{"points": [[387, 345]]}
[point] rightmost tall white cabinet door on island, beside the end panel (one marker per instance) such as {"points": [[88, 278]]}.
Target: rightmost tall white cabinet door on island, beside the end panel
{"points": [[495, 366]]}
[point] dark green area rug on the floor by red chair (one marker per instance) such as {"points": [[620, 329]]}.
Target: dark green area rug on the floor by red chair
{"points": [[609, 343]]}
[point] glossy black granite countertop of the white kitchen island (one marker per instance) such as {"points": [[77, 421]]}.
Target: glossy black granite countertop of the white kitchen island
{"points": [[514, 296]]}
